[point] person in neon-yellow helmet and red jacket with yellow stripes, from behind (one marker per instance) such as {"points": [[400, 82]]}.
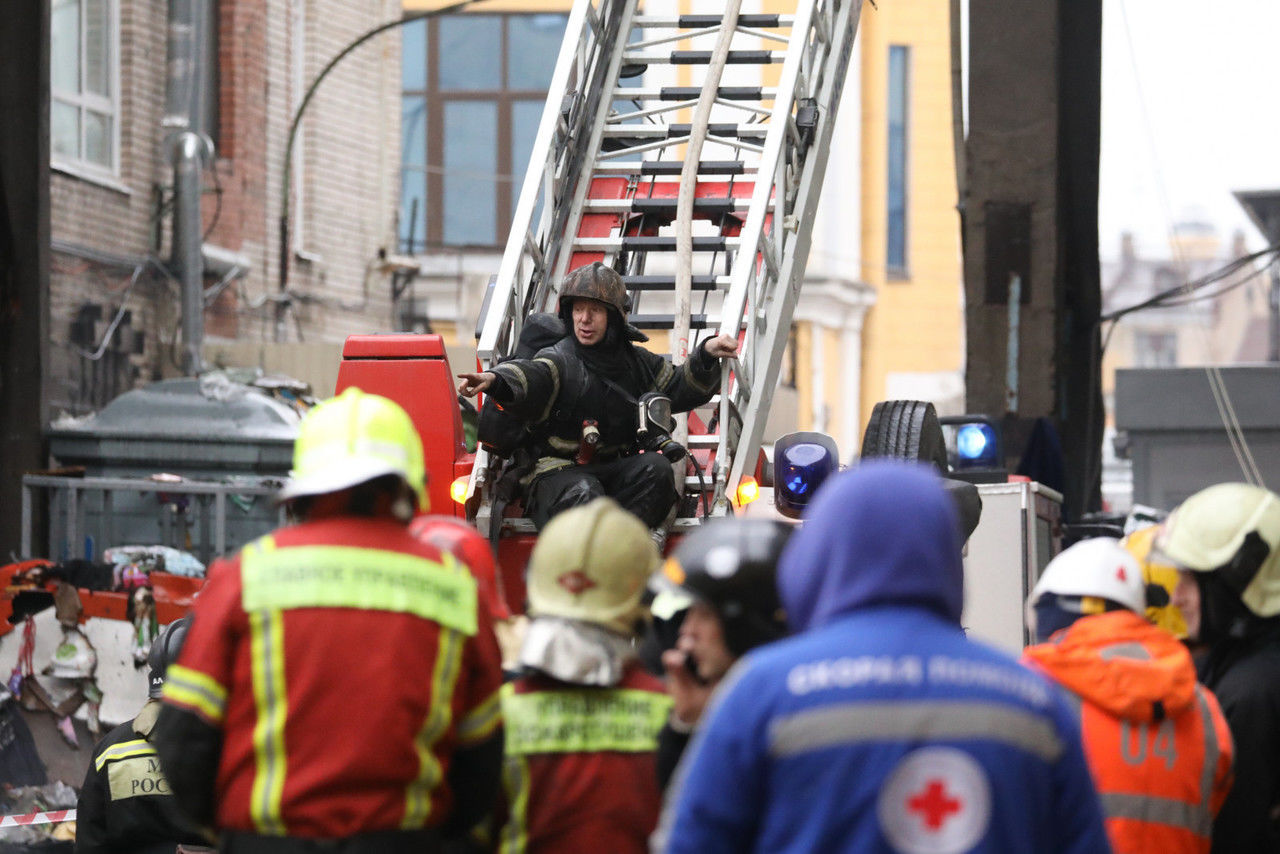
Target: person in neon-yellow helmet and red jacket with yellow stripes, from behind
{"points": [[340, 687]]}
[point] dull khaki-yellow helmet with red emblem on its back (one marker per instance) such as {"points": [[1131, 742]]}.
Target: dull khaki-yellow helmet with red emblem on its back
{"points": [[592, 564]]}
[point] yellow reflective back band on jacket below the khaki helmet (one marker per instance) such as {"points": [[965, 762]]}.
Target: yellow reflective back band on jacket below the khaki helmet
{"points": [[583, 720]]}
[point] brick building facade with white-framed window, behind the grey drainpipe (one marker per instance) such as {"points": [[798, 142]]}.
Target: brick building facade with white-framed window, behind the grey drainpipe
{"points": [[115, 310]]}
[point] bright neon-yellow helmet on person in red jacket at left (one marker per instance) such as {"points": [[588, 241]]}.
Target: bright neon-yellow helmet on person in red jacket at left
{"points": [[351, 440]]}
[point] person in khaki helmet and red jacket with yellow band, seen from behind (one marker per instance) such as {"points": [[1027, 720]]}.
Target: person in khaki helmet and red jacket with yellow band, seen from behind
{"points": [[583, 719]]}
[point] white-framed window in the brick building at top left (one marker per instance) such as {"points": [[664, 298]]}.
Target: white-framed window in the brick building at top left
{"points": [[85, 103]]}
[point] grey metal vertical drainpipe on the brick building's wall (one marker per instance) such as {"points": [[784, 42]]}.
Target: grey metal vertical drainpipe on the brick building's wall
{"points": [[186, 152]]}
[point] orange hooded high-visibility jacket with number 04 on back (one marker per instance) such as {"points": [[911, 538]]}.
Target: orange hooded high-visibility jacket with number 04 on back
{"points": [[1156, 742]]}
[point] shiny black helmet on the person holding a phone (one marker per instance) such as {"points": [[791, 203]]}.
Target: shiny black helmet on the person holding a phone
{"points": [[732, 565]]}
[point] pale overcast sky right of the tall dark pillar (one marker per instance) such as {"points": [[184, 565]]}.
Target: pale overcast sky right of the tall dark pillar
{"points": [[1190, 113]]}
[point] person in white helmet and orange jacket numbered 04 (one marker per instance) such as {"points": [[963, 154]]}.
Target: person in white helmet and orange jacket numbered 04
{"points": [[1156, 742]]}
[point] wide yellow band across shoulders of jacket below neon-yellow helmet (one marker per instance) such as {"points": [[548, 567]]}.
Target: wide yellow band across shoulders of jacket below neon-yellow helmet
{"points": [[339, 577]]}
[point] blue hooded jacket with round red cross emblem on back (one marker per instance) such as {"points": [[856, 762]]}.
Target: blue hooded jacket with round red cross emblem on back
{"points": [[881, 728]]}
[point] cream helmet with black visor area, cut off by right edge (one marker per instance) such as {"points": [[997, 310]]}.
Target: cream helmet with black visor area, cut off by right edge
{"points": [[1232, 529]]}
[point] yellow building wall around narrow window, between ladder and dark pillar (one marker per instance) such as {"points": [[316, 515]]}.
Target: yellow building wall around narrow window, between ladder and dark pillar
{"points": [[917, 323]]}
